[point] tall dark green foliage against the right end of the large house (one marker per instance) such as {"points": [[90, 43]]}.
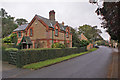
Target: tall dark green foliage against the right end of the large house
{"points": [[75, 39]]}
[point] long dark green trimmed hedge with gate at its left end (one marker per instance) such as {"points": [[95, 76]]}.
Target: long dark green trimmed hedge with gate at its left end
{"points": [[23, 57]]}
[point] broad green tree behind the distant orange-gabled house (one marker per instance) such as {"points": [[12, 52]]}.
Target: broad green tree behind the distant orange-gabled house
{"points": [[92, 33]]}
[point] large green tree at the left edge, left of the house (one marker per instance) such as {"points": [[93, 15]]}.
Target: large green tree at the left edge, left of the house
{"points": [[8, 24]]}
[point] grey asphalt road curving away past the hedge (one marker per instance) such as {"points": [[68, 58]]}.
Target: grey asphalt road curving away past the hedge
{"points": [[91, 65]]}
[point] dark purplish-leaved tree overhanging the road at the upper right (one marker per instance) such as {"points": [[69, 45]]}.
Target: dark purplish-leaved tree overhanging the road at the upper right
{"points": [[110, 13]]}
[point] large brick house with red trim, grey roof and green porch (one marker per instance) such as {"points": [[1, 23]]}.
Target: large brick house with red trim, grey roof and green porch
{"points": [[42, 33]]}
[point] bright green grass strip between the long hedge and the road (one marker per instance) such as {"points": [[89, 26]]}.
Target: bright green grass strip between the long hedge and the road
{"points": [[46, 63]]}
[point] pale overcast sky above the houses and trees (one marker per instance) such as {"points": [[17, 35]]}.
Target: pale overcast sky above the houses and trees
{"points": [[74, 13]]}
